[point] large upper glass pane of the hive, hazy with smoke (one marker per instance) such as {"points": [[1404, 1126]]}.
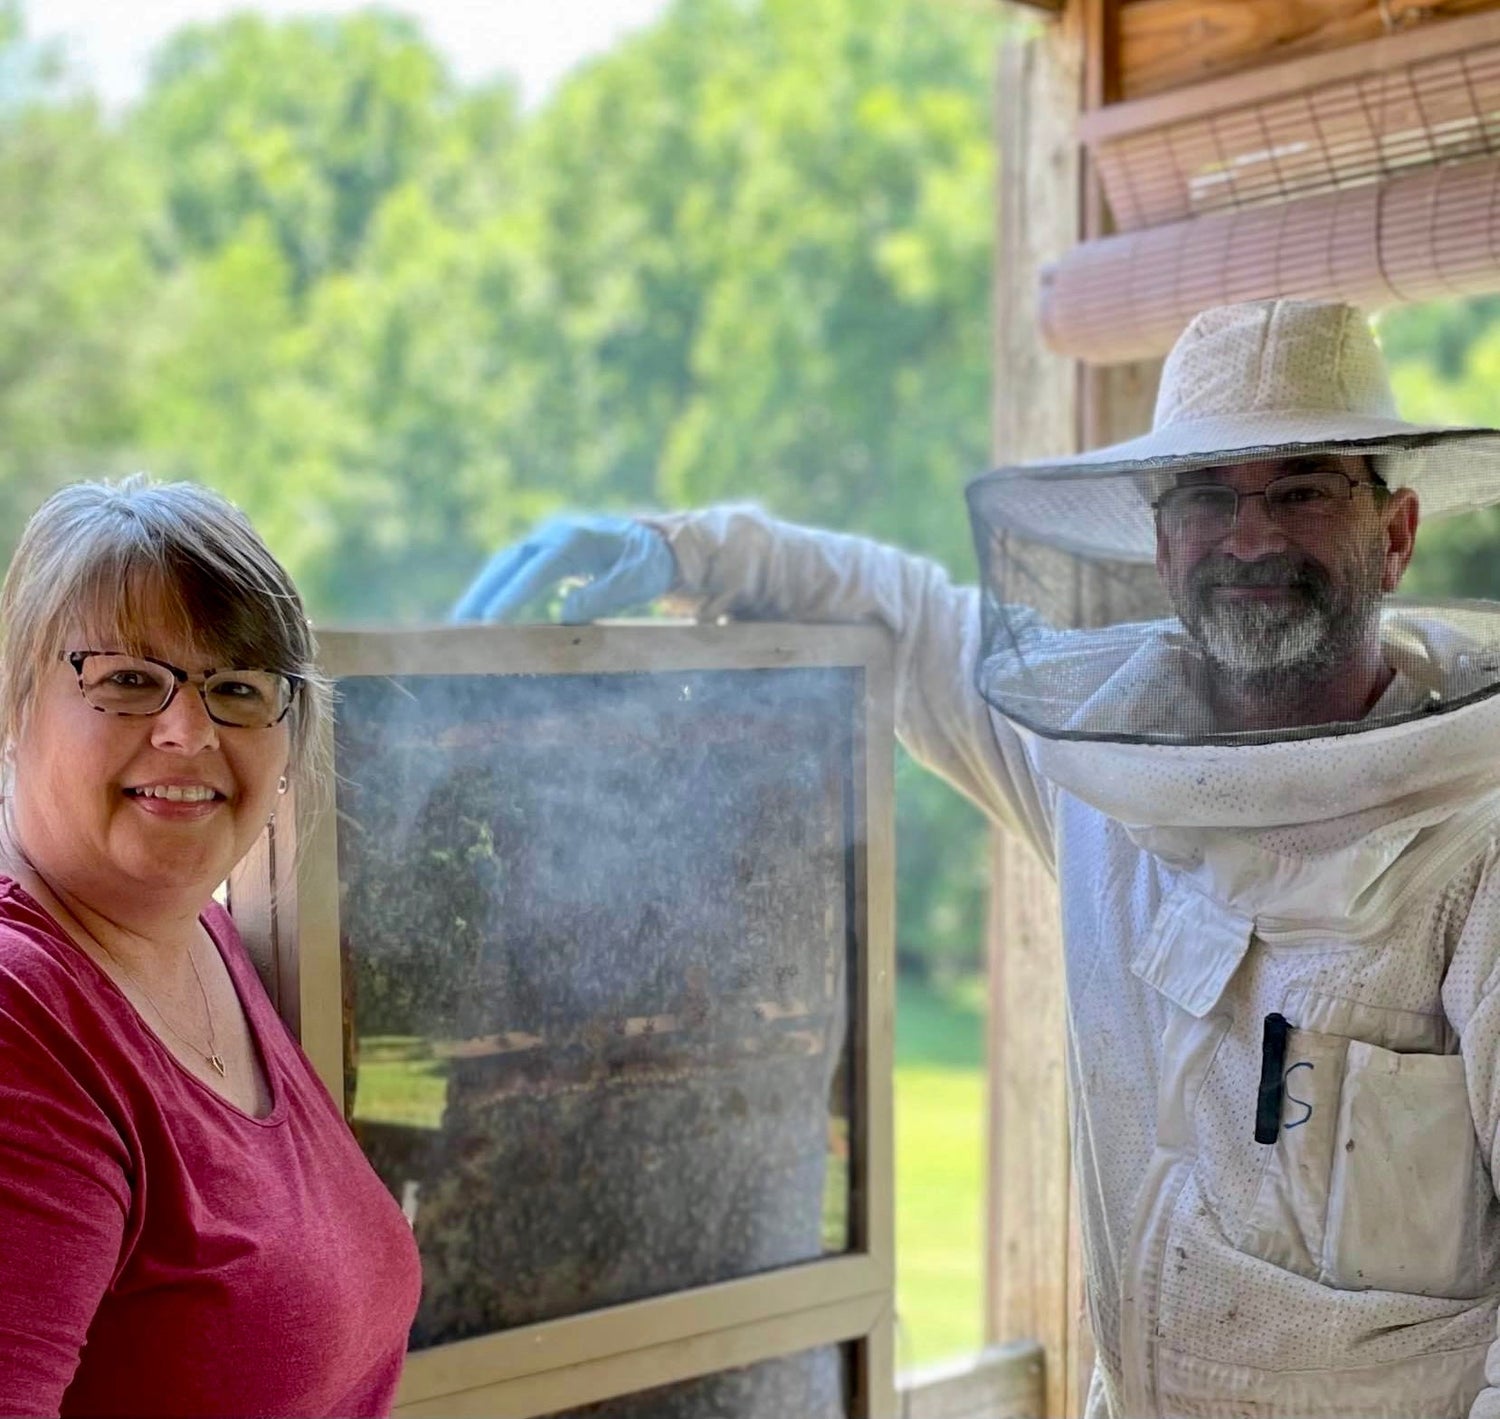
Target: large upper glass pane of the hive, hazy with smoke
{"points": [[599, 946]]}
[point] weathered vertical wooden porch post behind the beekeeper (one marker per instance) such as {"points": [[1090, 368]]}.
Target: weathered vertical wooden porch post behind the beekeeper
{"points": [[1045, 406]]}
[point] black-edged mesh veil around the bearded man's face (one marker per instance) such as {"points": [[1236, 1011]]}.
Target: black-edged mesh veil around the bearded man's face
{"points": [[1114, 647]]}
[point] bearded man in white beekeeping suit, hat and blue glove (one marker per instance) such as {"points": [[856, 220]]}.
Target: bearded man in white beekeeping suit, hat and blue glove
{"points": [[1276, 823]]}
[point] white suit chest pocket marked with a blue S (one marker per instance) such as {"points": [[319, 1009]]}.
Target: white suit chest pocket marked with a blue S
{"points": [[1375, 1181]]}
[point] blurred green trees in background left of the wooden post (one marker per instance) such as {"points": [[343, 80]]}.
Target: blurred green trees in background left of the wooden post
{"points": [[742, 256]]}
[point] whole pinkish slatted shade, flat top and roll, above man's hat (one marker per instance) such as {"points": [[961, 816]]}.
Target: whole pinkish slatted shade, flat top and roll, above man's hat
{"points": [[1370, 175]]}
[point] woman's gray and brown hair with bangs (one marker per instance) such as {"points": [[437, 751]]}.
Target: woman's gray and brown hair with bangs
{"points": [[110, 560]]}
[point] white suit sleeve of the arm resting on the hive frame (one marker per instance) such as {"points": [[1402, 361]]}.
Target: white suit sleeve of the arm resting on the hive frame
{"points": [[739, 562]]}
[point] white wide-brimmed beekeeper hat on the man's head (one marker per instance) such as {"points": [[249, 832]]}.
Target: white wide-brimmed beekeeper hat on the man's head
{"points": [[1264, 380]]}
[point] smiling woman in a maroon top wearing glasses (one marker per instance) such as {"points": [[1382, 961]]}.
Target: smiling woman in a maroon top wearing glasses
{"points": [[187, 1225]]}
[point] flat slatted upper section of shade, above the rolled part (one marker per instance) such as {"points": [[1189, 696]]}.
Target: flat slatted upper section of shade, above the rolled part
{"points": [[1322, 137]]}
